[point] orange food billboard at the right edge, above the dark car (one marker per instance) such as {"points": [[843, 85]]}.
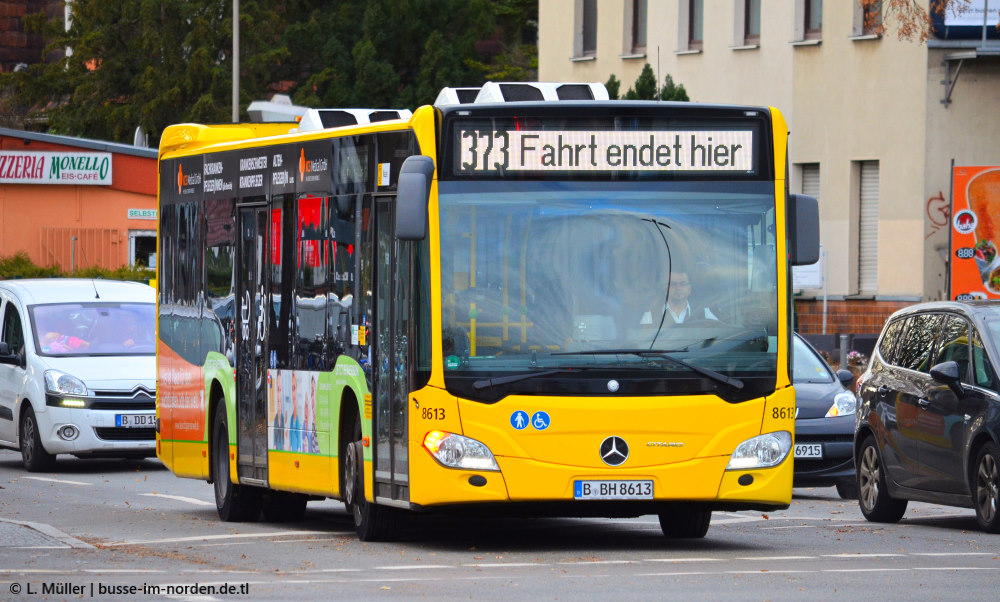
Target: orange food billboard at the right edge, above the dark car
{"points": [[975, 233]]}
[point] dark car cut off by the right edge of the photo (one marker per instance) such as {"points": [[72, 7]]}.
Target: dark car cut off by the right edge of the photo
{"points": [[928, 424]]}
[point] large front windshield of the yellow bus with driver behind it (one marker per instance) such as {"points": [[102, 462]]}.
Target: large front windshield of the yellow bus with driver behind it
{"points": [[579, 282]]}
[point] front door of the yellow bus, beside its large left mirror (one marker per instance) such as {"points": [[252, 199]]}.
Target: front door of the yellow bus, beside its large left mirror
{"points": [[391, 362]]}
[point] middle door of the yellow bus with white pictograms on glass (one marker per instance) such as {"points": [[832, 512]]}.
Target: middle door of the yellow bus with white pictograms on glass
{"points": [[252, 306]]}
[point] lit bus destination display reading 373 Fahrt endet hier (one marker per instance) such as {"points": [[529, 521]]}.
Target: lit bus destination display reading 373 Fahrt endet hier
{"points": [[486, 151]]}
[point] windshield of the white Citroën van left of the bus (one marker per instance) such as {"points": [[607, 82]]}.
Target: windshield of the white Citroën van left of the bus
{"points": [[102, 328]]}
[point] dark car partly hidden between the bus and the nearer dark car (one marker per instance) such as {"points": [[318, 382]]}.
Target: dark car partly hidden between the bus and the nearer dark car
{"points": [[824, 422]]}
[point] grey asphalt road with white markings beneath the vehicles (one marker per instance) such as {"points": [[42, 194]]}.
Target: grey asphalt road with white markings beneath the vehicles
{"points": [[95, 528]]}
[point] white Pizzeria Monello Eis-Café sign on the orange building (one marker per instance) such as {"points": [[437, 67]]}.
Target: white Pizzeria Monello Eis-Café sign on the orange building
{"points": [[44, 167]]}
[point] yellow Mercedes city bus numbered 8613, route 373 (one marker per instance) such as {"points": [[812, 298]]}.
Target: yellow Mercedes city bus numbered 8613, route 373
{"points": [[514, 304]]}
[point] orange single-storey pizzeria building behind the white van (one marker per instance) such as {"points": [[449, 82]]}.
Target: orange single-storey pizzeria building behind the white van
{"points": [[77, 203]]}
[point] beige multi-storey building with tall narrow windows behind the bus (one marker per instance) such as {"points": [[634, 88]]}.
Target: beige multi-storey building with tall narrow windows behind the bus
{"points": [[876, 122]]}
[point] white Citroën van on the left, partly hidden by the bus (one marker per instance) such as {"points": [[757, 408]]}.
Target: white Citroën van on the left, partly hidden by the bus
{"points": [[77, 369]]}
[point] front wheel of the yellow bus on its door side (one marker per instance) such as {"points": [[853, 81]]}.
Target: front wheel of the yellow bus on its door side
{"points": [[371, 521]]}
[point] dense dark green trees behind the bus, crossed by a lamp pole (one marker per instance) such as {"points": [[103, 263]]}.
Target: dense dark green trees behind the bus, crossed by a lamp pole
{"points": [[151, 63]]}
